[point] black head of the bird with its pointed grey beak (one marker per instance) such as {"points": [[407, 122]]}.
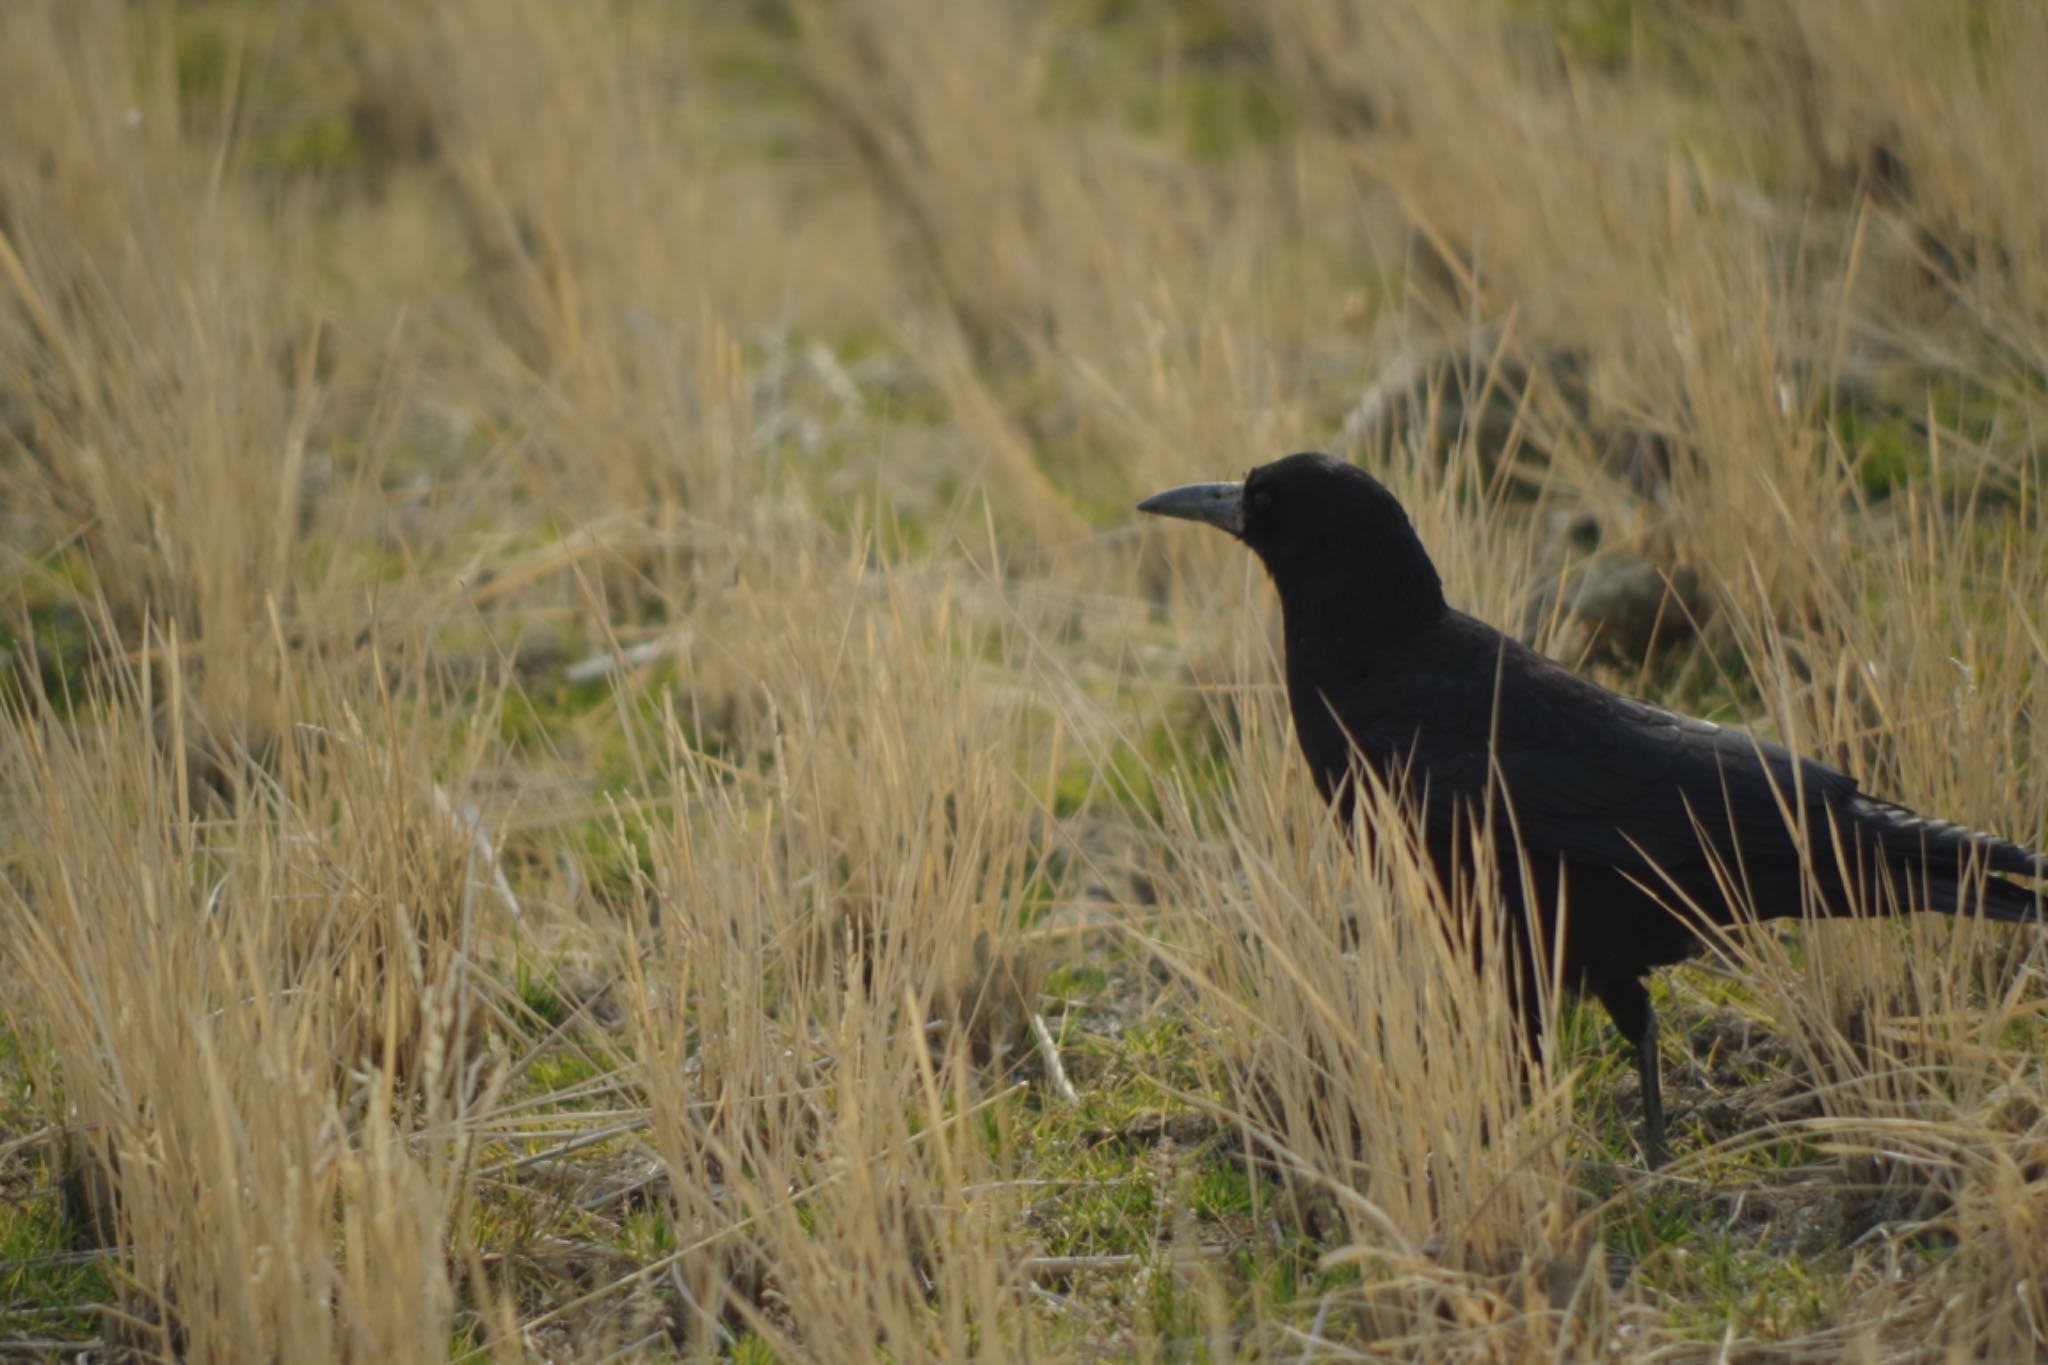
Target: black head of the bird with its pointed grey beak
{"points": [[1324, 529]]}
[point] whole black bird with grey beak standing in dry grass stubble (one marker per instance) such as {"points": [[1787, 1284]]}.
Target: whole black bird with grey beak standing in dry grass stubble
{"points": [[1644, 818]]}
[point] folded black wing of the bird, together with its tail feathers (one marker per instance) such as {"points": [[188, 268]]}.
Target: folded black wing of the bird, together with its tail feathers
{"points": [[1467, 715]]}
